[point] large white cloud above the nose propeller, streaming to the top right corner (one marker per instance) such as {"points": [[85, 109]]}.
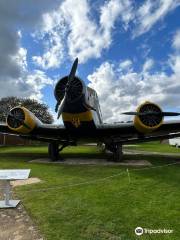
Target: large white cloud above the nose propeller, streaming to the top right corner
{"points": [[71, 30]]}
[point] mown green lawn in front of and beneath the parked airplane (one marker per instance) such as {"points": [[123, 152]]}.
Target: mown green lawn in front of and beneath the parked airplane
{"points": [[110, 208]]}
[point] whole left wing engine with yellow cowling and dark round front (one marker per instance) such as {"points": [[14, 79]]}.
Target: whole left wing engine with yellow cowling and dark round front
{"points": [[22, 120]]}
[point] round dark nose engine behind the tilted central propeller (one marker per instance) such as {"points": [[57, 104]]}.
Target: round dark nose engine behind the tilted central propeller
{"points": [[76, 89]]}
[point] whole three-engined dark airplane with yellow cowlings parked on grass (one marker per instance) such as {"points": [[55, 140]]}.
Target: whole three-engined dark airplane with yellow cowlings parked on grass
{"points": [[79, 107]]}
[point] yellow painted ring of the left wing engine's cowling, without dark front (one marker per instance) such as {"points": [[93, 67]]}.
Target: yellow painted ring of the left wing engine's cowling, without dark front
{"points": [[29, 122]]}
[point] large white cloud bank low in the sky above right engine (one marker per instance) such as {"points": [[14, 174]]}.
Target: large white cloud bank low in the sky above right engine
{"points": [[123, 91]]}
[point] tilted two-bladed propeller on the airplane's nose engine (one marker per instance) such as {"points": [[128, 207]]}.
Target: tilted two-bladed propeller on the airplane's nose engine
{"points": [[68, 85]]}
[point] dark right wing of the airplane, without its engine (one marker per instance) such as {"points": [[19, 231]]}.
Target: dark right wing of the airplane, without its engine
{"points": [[125, 133]]}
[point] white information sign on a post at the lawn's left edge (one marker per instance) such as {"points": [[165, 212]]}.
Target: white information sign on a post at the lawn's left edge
{"points": [[6, 176]]}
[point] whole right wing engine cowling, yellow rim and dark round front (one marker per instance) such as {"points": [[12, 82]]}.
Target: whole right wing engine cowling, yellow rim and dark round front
{"points": [[149, 122]]}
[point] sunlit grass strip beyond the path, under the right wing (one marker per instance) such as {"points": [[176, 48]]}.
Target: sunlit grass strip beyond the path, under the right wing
{"points": [[154, 147]]}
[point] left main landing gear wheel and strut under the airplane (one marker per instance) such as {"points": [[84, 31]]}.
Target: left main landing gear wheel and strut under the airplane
{"points": [[53, 150]]}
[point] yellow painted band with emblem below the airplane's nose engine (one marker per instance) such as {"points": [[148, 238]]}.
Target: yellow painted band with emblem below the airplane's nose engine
{"points": [[77, 118]]}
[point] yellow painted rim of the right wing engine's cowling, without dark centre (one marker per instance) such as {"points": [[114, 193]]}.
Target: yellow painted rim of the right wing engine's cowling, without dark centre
{"points": [[140, 126]]}
